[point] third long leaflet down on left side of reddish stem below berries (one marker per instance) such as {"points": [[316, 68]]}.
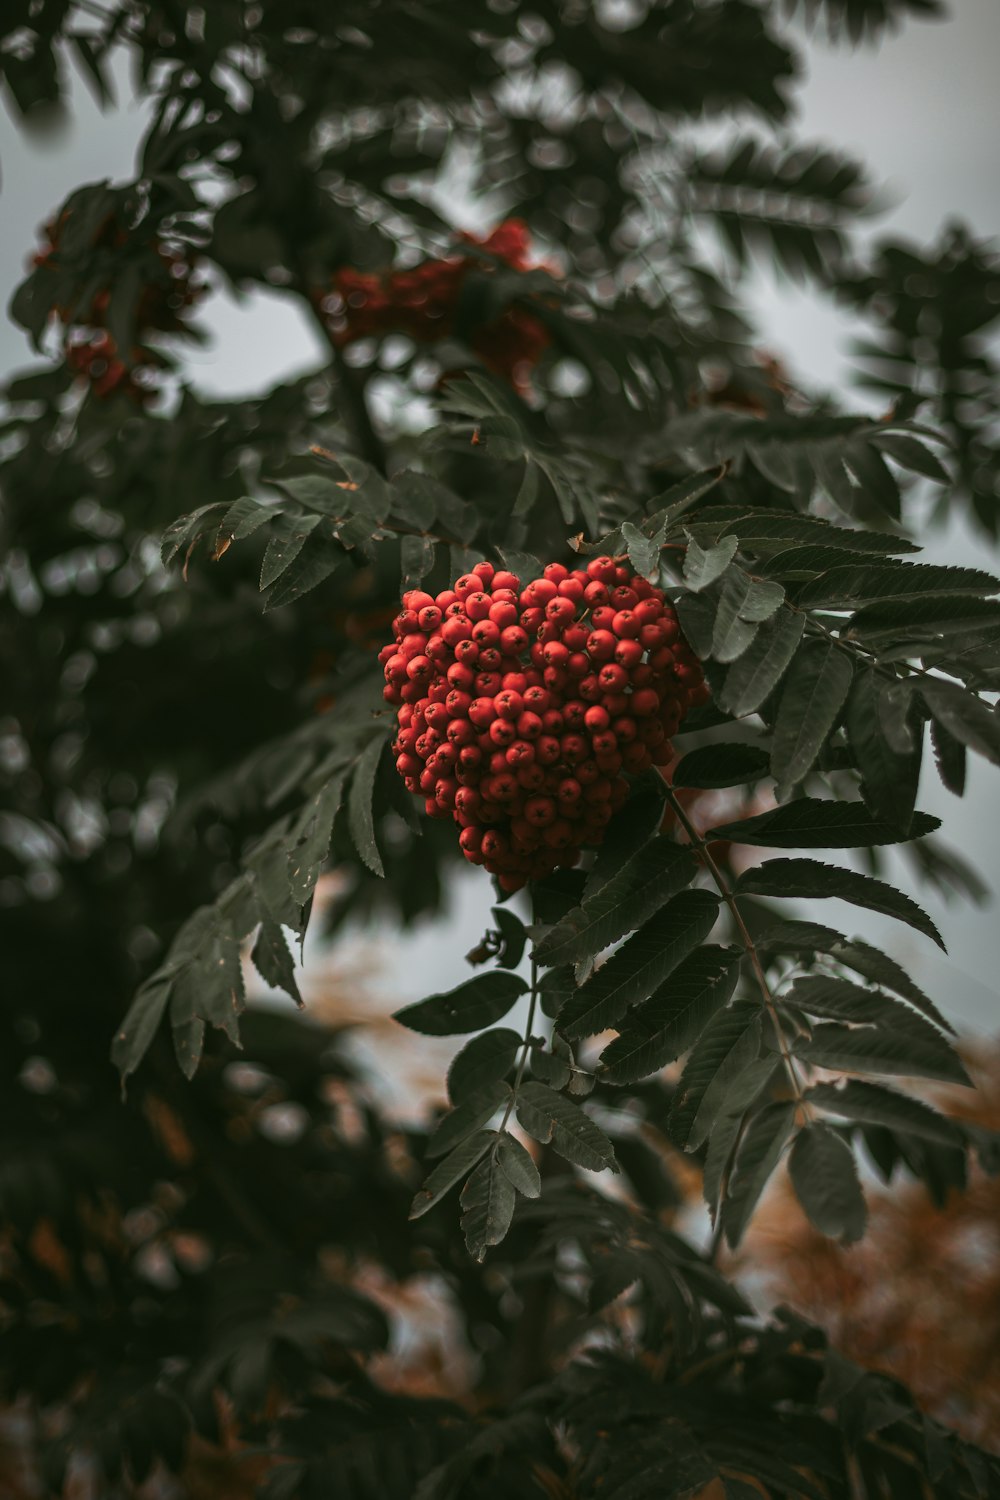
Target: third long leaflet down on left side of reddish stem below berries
{"points": [[675, 1016]]}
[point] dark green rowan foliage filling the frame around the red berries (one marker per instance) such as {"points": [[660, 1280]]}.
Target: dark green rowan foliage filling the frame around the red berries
{"points": [[194, 595]]}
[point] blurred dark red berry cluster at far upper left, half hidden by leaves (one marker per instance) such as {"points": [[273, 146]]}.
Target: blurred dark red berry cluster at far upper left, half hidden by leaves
{"points": [[164, 301]]}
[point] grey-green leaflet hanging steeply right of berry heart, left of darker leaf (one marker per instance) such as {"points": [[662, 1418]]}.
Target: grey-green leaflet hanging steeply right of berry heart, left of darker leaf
{"points": [[815, 691]]}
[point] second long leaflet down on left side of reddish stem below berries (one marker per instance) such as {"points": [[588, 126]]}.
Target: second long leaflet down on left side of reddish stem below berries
{"points": [[635, 971]]}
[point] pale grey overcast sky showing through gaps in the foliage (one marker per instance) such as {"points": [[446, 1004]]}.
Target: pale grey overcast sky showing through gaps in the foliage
{"points": [[924, 113]]}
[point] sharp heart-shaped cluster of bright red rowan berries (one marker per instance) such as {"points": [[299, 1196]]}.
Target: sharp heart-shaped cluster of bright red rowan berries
{"points": [[522, 710]]}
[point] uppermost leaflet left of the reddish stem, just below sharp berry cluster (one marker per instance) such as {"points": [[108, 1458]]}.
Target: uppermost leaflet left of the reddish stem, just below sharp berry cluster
{"points": [[626, 902]]}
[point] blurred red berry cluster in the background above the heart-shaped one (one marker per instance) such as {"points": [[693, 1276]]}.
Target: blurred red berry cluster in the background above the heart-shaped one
{"points": [[424, 304]]}
